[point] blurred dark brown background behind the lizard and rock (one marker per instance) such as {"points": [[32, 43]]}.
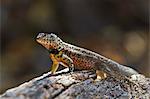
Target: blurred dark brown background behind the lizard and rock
{"points": [[116, 29]]}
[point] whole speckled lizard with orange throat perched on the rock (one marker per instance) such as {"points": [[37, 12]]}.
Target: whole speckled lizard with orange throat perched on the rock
{"points": [[75, 57]]}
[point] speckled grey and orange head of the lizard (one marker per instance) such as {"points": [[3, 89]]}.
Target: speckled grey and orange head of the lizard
{"points": [[49, 41]]}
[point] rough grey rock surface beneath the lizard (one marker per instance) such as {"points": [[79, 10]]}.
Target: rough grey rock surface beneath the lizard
{"points": [[79, 85]]}
